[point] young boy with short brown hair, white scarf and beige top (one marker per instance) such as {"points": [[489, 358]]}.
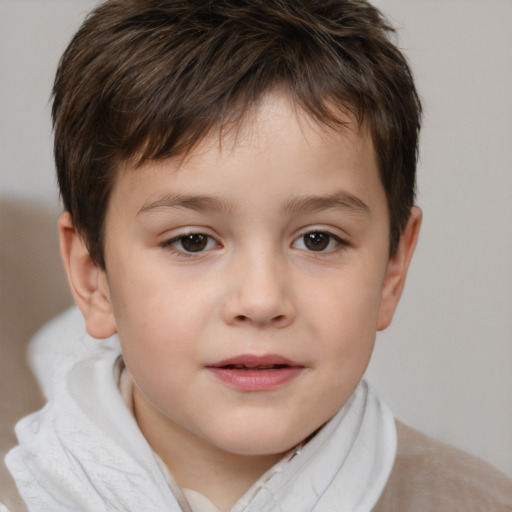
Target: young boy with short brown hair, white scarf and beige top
{"points": [[238, 181]]}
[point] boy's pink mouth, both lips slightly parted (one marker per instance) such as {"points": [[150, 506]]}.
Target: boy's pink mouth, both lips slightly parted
{"points": [[255, 373]]}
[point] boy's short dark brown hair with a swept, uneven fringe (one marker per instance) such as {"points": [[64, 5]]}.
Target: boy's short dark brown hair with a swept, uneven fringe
{"points": [[149, 79]]}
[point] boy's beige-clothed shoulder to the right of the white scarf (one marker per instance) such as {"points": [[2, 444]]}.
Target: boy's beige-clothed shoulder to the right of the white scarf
{"points": [[429, 475]]}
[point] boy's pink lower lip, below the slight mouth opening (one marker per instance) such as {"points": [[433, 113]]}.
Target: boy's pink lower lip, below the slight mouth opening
{"points": [[256, 380]]}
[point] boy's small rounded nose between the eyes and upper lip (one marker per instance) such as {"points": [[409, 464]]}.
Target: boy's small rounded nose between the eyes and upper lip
{"points": [[259, 293]]}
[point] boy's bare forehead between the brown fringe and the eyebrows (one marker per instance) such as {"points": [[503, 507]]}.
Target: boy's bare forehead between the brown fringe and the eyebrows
{"points": [[277, 146]]}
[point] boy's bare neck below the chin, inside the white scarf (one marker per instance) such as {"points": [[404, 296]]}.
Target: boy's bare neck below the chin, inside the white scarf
{"points": [[195, 463]]}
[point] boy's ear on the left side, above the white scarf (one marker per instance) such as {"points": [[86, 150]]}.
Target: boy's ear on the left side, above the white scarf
{"points": [[87, 280]]}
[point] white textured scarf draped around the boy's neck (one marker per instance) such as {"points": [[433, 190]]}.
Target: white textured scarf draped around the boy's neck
{"points": [[84, 451]]}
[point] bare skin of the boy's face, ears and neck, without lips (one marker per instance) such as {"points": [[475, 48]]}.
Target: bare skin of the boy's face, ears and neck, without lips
{"points": [[256, 288]]}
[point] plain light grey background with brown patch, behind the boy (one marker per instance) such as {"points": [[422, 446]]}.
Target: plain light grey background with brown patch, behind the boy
{"points": [[445, 364]]}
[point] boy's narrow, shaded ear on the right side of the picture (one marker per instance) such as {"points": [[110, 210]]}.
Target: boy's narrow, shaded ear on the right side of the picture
{"points": [[397, 268]]}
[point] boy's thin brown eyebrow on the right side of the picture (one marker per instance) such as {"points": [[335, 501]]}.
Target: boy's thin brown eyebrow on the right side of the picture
{"points": [[340, 200]]}
